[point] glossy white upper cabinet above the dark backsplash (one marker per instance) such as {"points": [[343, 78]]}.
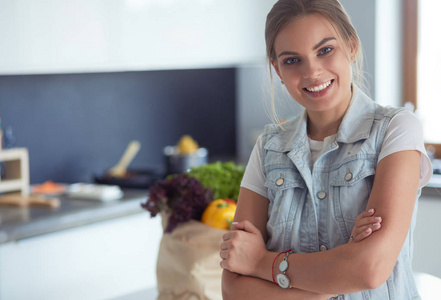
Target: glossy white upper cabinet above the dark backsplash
{"points": [[42, 36]]}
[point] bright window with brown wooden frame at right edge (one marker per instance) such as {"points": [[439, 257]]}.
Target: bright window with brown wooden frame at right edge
{"points": [[422, 66]]}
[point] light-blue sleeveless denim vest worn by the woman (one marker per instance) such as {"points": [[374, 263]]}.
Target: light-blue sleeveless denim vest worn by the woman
{"points": [[312, 211]]}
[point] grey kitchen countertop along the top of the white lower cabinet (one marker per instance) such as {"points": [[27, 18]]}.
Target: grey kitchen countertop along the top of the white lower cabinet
{"points": [[18, 223]]}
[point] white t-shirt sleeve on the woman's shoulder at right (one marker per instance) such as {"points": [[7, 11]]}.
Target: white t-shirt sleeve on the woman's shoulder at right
{"points": [[405, 132]]}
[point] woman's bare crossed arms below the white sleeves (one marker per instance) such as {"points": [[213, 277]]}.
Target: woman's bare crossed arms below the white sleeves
{"points": [[345, 269]]}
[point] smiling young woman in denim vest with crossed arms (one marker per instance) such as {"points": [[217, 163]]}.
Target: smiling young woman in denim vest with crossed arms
{"points": [[309, 178]]}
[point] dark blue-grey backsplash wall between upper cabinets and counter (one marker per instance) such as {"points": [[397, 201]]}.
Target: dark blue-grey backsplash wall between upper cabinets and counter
{"points": [[77, 125]]}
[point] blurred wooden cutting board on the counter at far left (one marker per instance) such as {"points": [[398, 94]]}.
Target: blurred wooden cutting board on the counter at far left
{"points": [[17, 199]]}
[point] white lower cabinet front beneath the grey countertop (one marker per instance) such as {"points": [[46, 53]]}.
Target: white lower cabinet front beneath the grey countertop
{"points": [[100, 261]]}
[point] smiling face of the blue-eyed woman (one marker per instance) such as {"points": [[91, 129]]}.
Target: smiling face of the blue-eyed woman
{"points": [[315, 64]]}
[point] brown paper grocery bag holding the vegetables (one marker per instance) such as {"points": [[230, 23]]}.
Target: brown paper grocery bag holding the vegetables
{"points": [[188, 265]]}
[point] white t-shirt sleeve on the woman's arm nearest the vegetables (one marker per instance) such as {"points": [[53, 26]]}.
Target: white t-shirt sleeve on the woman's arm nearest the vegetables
{"points": [[253, 178]]}
